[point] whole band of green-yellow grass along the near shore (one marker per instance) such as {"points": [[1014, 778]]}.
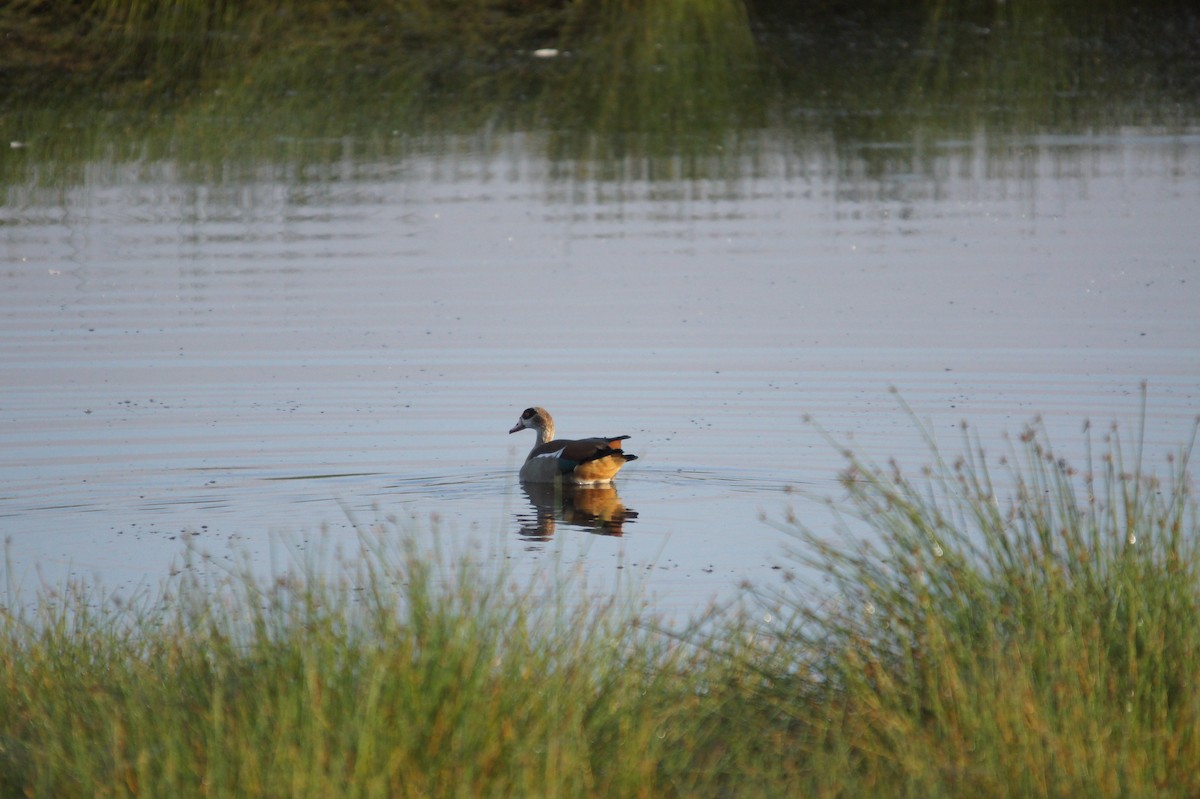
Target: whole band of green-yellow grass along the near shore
{"points": [[994, 627]]}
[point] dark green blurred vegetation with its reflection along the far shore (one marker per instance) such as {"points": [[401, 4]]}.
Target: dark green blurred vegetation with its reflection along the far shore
{"points": [[664, 89]]}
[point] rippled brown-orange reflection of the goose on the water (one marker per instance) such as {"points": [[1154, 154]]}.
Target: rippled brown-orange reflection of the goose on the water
{"points": [[597, 509]]}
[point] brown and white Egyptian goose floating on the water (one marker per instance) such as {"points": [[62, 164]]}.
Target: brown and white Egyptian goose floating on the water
{"points": [[586, 460]]}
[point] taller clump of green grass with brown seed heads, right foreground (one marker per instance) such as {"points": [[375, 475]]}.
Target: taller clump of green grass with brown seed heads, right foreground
{"points": [[1007, 628]]}
